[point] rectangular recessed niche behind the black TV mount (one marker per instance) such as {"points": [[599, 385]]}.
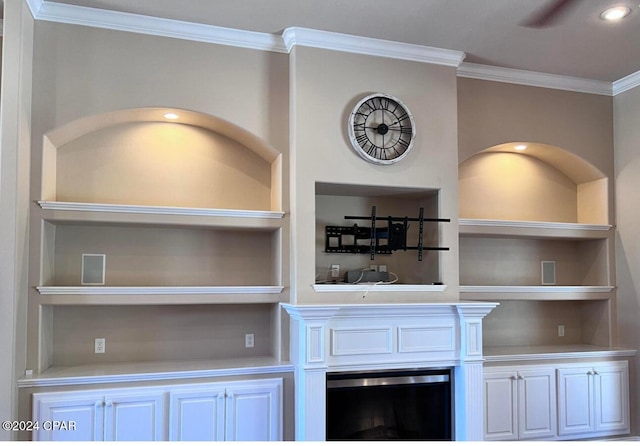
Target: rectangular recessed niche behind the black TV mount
{"points": [[334, 202]]}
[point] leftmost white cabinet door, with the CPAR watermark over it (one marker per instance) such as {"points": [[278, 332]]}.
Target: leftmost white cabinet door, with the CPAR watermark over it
{"points": [[82, 413]]}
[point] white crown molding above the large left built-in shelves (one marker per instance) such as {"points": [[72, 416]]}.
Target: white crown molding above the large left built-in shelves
{"points": [[121, 21]]}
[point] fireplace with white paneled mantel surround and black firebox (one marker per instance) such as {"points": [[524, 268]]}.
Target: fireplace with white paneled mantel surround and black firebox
{"points": [[343, 342]]}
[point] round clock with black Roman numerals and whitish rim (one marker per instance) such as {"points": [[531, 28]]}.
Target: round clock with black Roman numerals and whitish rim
{"points": [[381, 129]]}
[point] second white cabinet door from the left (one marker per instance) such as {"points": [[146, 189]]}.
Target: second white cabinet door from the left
{"points": [[135, 416]]}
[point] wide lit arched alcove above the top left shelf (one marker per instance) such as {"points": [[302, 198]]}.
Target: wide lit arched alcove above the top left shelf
{"points": [[141, 157]]}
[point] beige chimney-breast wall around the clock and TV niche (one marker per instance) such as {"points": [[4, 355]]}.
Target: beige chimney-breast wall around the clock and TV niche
{"points": [[325, 86]]}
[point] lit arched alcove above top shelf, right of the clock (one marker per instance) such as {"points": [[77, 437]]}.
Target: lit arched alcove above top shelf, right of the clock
{"points": [[540, 183]]}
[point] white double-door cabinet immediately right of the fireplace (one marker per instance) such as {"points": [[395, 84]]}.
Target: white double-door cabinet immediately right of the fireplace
{"points": [[519, 403]]}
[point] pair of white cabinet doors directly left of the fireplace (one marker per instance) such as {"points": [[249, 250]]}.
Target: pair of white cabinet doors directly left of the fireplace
{"points": [[238, 411]]}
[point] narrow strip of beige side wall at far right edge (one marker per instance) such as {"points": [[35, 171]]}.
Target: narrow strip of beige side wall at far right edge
{"points": [[627, 183]]}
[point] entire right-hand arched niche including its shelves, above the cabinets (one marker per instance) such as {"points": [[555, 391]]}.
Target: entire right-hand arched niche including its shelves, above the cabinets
{"points": [[517, 210]]}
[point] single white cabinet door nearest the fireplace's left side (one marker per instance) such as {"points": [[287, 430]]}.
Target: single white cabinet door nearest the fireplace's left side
{"points": [[254, 411]]}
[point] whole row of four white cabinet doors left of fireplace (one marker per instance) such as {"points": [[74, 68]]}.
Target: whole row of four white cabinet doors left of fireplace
{"points": [[226, 411]]}
